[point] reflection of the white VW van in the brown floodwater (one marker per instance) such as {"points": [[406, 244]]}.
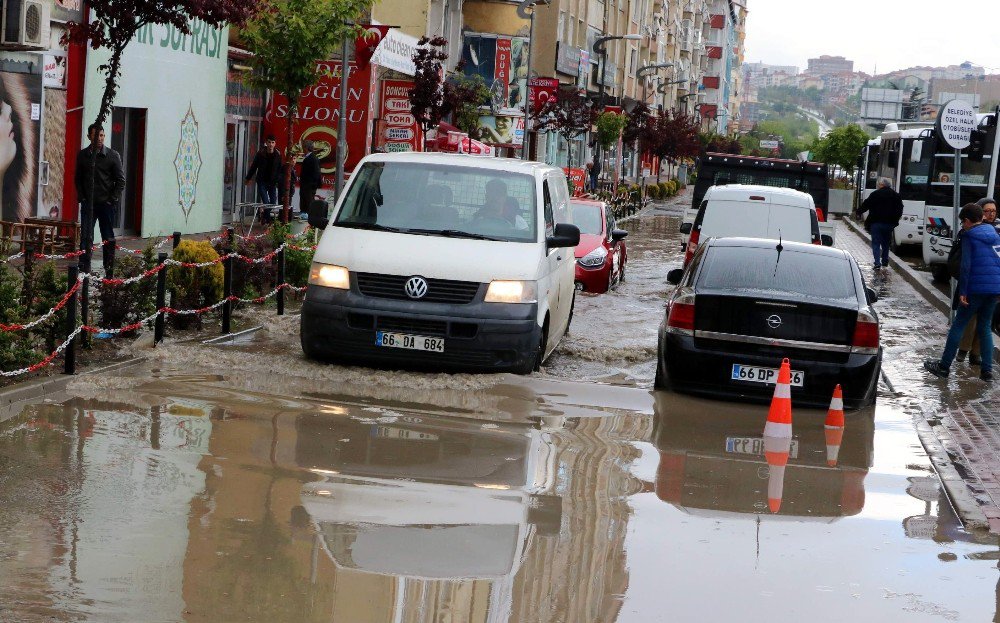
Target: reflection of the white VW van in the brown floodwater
{"points": [[427, 498]]}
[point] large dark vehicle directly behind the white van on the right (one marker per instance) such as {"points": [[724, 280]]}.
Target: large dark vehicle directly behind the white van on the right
{"points": [[718, 169]]}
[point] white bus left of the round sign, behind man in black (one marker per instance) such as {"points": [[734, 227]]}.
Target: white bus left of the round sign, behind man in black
{"points": [[904, 156]]}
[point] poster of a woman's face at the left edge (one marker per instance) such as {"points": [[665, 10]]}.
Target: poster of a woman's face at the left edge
{"points": [[19, 139]]}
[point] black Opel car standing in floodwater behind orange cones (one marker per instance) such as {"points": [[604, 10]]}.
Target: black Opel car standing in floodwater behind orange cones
{"points": [[744, 304]]}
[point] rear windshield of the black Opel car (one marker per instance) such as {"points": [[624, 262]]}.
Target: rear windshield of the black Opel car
{"points": [[755, 270]]}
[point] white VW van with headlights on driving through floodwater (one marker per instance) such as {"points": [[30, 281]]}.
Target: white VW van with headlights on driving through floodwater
{"points": [[444, 261]]}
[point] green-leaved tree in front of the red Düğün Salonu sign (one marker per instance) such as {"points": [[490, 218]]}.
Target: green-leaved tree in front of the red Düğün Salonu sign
{"points": [[287, 41]]}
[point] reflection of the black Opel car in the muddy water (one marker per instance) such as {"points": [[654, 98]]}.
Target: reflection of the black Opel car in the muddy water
{"points": [[710, 463]]}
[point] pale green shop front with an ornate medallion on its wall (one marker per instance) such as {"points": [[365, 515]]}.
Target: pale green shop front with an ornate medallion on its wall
{"points": [[168, 129]]}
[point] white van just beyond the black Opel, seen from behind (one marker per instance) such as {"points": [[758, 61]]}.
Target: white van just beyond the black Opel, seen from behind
{"points": [[750, 211]]}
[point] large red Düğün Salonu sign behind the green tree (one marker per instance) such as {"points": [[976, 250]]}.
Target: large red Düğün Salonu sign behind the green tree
{"points": [[319, 113]]}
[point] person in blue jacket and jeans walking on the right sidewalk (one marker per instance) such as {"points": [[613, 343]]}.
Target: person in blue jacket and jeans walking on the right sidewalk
{"points": [[978, 289]]}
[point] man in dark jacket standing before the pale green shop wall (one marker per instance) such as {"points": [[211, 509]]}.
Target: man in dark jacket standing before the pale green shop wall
{"points": [[99, 169]]}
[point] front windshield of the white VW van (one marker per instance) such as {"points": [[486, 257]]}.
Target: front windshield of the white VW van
{"points": [[443, 200]]}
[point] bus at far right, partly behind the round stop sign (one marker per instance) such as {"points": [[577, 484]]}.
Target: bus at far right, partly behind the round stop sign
{"points": [[979, 179]]}
